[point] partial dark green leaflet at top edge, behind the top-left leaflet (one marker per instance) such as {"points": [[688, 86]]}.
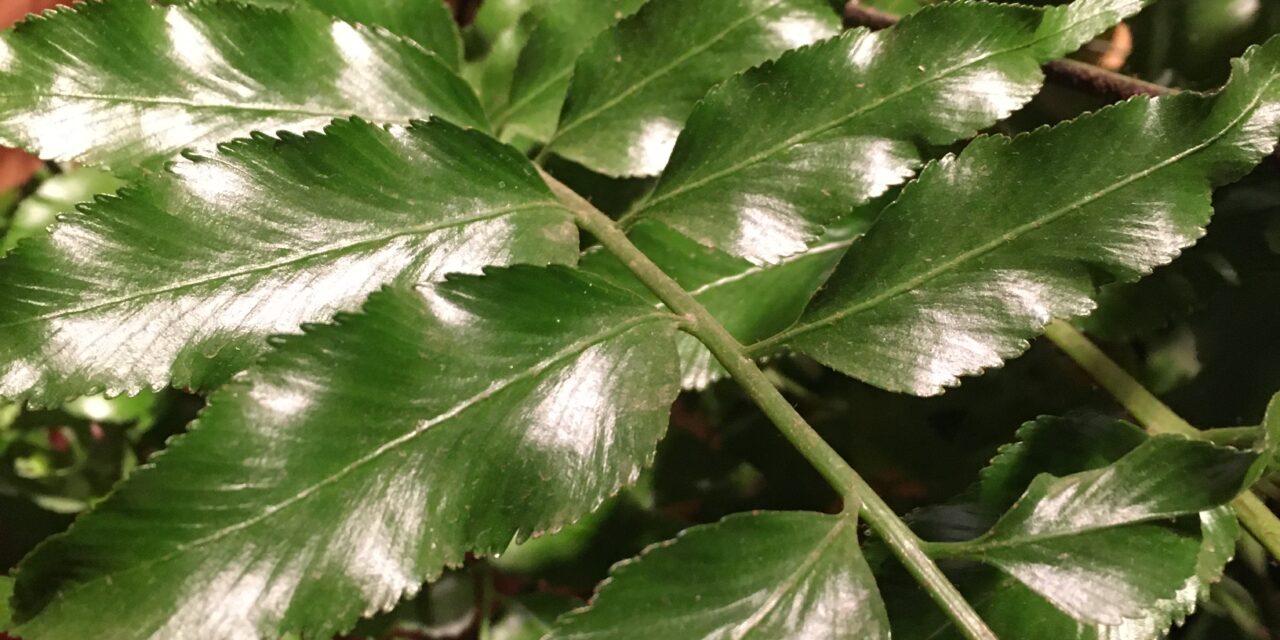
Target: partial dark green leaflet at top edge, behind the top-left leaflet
{"points": [[427, 22]]}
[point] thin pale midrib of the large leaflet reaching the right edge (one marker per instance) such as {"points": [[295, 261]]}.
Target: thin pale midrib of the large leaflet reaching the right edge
{"points": [[1005, 239]]}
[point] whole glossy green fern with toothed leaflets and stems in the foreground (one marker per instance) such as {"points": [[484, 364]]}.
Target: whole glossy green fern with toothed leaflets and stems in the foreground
{"points": [[483, 382]]}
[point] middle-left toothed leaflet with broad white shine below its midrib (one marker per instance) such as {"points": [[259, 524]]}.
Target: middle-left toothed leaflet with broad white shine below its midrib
{"points": [[181, 278]]}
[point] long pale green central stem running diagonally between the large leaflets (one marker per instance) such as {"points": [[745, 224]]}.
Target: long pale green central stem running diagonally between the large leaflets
{"points": [[732, 354]]}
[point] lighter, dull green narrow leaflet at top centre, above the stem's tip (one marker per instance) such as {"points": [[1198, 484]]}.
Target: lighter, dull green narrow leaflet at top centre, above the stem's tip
{"points": [[563, 30]]}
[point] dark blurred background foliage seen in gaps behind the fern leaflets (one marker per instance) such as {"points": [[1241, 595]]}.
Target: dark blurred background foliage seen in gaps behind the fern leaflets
{"points": [[1201, 332]]}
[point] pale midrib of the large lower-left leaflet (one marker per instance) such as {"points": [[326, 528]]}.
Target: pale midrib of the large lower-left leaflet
{"points": [[456, 410]]}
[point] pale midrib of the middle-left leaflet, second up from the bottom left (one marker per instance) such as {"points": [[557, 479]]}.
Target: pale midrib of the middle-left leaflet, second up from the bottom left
{"points": [[278, 264]]}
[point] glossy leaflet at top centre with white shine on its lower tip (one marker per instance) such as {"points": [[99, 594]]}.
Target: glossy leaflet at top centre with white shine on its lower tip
{"points": [[637, 84]]}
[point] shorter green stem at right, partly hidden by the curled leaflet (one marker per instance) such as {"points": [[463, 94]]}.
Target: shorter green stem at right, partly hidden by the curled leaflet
{"points": [[1158, 418]]}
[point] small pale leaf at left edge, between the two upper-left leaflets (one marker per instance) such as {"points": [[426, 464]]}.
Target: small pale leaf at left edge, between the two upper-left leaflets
{"points": [[56, 196]]}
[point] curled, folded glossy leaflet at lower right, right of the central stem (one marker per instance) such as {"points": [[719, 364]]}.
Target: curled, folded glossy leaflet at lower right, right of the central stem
{"points": [[1095, 545]]}
